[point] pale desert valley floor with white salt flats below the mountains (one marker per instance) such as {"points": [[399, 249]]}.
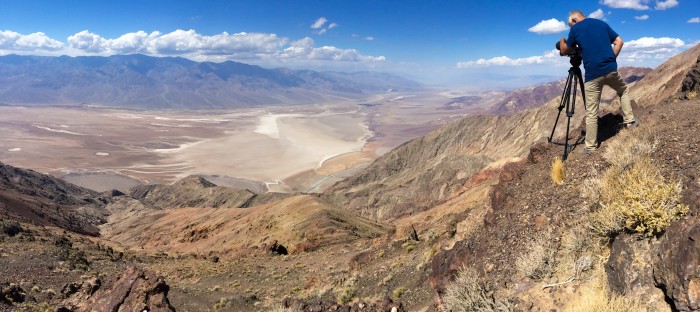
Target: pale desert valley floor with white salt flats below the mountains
{"points": [[298, 148]]}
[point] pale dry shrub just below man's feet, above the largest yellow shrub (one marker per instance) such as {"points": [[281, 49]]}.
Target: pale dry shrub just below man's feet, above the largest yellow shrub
{"points": [[629, 147]]}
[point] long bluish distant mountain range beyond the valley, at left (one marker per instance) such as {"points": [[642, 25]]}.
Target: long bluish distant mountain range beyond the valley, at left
{"points": [[144, 82]]}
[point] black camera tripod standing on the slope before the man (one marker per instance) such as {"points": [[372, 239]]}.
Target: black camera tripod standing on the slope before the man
{"points": [[568, 100]]}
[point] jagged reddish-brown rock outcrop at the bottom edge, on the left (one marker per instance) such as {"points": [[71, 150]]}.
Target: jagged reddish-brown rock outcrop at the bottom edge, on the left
{"points": [[134, 290]]}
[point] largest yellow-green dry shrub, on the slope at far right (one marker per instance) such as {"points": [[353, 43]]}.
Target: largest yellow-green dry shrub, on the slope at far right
{"points": [[638, 199]]}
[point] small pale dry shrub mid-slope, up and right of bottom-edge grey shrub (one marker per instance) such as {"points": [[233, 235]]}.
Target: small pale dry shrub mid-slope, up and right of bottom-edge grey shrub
{"points": [[540, 260]]}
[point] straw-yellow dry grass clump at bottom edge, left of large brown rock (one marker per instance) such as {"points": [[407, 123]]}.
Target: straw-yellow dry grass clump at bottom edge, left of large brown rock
{"points": [[596, 296]]}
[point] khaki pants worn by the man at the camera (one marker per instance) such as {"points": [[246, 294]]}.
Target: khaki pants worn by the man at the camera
{"points": [[593, 90]]}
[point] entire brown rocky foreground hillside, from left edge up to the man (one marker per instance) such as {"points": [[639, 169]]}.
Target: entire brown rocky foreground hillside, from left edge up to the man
{"points": [[474, 196]]}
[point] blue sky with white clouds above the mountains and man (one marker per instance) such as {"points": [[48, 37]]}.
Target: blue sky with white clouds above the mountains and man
{"points": [[448, 42]]}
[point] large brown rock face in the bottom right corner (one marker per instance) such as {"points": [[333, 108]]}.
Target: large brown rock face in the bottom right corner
{"points": [[677, 266]]}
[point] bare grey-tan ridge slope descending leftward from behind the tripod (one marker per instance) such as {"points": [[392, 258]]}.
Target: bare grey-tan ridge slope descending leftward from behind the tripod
{"points": [[423, 172]]}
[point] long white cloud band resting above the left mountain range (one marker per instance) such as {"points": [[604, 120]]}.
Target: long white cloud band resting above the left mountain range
{"points": [[254, 48]]}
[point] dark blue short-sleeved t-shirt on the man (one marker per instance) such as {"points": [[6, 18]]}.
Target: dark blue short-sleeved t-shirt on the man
{"points": [[594, 38]]}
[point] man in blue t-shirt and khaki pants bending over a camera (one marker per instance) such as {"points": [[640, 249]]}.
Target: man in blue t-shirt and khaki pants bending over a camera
{"points": [[594, 39]]}
